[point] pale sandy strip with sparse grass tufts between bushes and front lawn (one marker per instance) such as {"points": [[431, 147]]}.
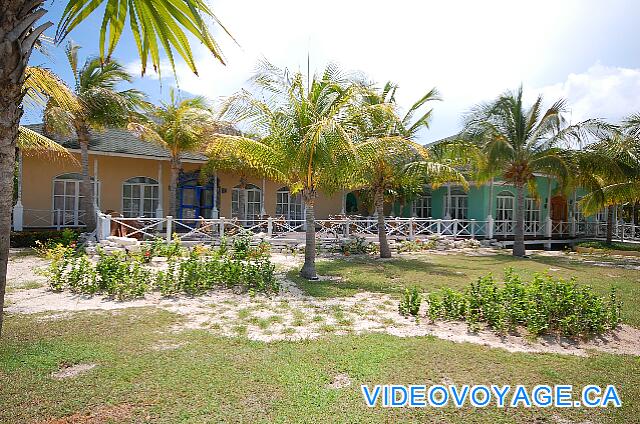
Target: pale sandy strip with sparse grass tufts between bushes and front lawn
{"points": [[293, 316]]}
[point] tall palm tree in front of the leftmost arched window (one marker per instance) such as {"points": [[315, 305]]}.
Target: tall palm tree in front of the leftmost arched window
{"points": [[96, 104]]}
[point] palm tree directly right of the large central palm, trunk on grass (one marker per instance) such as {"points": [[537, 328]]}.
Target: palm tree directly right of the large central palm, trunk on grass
{"points": [[386, 151]]}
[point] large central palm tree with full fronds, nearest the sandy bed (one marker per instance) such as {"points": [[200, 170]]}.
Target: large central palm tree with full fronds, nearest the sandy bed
{"points": [[302, 142]]}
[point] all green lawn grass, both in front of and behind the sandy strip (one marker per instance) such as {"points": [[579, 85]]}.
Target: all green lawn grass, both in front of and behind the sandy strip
{"points": [[211, 379]]}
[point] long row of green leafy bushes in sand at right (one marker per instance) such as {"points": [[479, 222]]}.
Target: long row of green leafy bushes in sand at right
{"points": [[545, 305]]}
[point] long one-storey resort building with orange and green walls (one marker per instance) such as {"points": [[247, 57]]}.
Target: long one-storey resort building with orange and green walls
{"points": [[131, 179]]}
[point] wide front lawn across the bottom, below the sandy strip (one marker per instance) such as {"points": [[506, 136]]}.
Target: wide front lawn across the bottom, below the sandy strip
{"points": [[211, 379]]}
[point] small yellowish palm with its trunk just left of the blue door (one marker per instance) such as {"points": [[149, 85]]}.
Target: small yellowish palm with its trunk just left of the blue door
{"points": [[179, 126]]}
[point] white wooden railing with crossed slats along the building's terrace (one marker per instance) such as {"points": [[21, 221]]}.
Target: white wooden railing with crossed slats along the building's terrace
{"points": [[211, 230]]}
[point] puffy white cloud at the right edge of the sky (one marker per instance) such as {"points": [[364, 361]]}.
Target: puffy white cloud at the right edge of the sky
{"points": [[600, 92]]}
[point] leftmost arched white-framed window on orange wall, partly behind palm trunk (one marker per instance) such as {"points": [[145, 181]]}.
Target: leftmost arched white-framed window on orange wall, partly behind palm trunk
{"points": [[67, 198]]}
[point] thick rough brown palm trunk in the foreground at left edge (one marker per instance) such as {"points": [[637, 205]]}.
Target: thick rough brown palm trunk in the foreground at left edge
{"points": [[17, 37]]}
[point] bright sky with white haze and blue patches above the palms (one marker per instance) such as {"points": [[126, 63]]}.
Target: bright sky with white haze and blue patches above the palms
{"points": [[583, 51]]}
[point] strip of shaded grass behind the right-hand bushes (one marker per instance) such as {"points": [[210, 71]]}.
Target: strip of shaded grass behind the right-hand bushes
{"points": [[434, 272]]}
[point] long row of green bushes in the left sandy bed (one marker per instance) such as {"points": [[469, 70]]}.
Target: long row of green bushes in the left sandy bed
{"points": [[124, 276]]}
